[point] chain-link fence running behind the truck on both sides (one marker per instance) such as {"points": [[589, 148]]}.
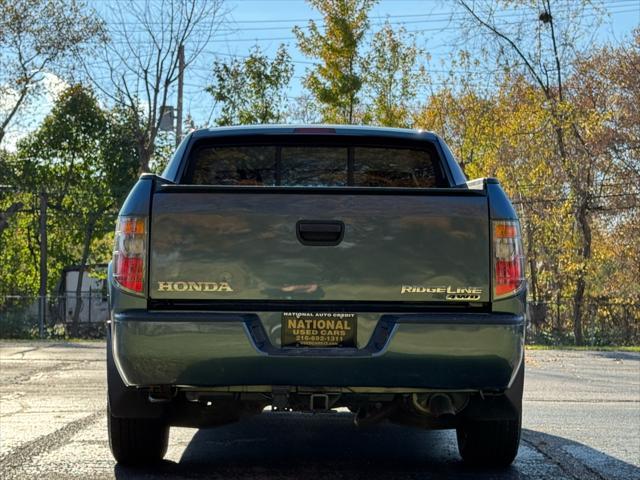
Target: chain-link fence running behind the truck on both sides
{"points": [[551, 323]]}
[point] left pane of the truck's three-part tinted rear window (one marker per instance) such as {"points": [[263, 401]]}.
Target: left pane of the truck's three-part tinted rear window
{"points": [[234, 166]]}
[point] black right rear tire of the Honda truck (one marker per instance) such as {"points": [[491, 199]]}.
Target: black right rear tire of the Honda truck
{"points": [[491, 443]]}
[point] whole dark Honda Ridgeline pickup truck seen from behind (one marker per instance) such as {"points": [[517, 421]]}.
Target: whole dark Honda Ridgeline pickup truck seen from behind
{"points": [[308, 268]]}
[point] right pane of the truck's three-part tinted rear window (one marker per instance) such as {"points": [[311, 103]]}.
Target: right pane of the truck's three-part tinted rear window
{"points": [[393, 167]]}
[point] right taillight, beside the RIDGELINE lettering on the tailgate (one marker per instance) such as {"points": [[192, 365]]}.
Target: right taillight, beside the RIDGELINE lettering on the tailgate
{"points": [[508, 261]]}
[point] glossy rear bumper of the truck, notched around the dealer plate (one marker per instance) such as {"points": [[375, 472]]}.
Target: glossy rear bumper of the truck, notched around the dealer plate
{"points": [[409, 351]]}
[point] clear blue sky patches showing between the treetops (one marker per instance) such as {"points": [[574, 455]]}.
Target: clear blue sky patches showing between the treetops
{"points": [[268, 23]]}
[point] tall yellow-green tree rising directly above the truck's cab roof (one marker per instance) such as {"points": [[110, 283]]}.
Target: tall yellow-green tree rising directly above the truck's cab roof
{"points": [[336, 82]]}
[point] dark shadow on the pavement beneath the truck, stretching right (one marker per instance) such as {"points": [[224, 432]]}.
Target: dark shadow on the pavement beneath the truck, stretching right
{"points": [[292, 446]]}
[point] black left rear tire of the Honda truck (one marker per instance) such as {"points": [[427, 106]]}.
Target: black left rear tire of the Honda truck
{"points": [[137, 441]]}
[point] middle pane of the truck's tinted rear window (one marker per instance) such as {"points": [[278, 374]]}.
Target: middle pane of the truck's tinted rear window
{"points": [[314, 166]]}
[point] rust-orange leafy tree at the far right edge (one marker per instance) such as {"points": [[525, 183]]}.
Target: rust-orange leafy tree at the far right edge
{"points": [[605, 87]]}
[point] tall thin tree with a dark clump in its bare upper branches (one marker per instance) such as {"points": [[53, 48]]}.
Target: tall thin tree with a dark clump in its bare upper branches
{"points": [[544, 49]]}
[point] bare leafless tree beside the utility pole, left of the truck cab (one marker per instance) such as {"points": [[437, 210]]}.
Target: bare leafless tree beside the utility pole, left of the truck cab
{"points": [[143, 58]]}
